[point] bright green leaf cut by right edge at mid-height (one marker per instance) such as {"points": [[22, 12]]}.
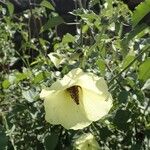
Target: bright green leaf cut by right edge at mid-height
{"points": [[144, 70]]}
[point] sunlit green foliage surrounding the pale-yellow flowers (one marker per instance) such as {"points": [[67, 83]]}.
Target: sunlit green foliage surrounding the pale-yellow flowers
{"points": [[109, 38]]}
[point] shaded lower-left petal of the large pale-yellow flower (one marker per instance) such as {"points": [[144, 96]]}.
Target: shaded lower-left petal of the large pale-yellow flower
{"points": [[61, 109]]}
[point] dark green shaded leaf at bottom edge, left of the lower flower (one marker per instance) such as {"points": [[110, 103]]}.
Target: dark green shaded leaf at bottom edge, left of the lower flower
{"points": [[51, 141]]}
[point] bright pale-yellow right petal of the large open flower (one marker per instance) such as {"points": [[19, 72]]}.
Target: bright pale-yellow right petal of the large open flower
{"points": [[96, 105]]}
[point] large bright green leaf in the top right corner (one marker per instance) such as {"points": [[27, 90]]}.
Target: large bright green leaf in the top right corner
{"points": [[140, 12]]}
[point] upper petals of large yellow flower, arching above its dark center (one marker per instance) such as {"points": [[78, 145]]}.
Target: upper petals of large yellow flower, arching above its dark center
{"points": [[78, 77]]}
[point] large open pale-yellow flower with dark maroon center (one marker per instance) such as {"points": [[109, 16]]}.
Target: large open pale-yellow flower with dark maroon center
{"points": [[76, 100]]}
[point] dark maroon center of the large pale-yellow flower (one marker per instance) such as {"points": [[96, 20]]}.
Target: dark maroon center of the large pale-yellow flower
{"points": [[74, 93]]}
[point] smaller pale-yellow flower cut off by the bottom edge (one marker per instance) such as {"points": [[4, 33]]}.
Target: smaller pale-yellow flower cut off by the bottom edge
{"points": [[86, 142]]}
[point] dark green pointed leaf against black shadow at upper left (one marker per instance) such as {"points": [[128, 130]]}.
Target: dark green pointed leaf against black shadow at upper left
{"points": [[52, 22]]}
